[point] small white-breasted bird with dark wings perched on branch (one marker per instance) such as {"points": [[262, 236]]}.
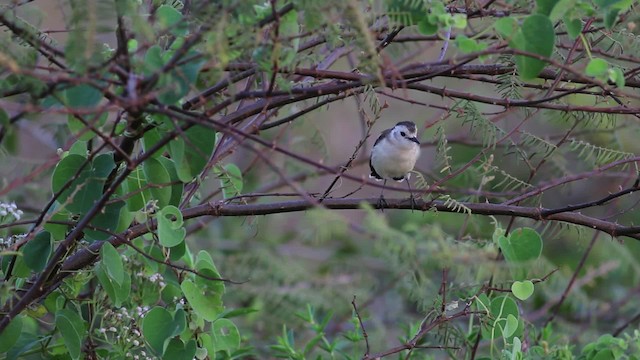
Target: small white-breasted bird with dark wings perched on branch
{"points": [[394, 155]]}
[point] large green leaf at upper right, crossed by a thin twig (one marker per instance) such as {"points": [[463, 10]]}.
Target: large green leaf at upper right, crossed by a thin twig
{"points": [[536, 35]]}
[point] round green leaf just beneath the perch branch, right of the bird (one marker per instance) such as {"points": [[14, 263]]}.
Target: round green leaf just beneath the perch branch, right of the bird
{"points": [[523, 244]]}
